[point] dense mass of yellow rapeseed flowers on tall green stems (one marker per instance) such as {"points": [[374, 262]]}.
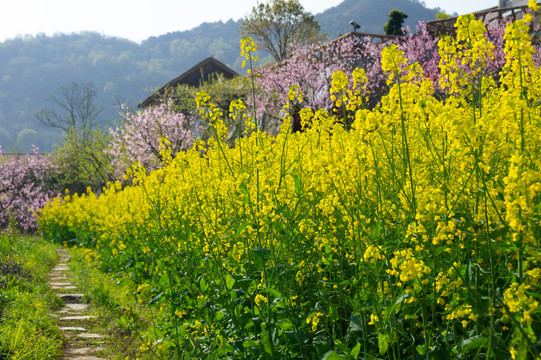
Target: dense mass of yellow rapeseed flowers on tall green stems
{"points": [[417, 201]]}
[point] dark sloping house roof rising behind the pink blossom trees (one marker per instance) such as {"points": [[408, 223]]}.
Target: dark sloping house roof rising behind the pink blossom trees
{"points": [[193, 77]]}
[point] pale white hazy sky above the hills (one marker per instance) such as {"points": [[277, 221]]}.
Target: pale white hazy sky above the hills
{"points": [[137, 19]]}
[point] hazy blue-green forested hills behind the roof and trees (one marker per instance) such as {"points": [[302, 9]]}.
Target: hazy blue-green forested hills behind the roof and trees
{"points": [[31, 68]]}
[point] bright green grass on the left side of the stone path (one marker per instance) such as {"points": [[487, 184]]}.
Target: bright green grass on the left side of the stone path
{"points": [[27, 330]]}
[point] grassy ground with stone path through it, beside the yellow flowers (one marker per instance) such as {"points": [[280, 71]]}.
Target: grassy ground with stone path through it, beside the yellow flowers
{"points": [[55, 305]]}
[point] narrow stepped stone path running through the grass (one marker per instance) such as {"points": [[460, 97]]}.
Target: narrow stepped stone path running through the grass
{"points": [[75, 320]]}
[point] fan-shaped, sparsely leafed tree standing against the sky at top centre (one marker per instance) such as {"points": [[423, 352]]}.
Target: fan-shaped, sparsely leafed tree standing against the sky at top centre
{"points": [[277, 25]]}
